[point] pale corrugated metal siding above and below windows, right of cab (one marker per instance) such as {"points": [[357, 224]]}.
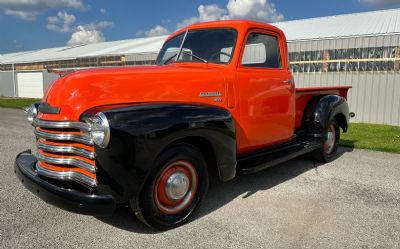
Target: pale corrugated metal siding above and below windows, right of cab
{"points": [[375, 96]]}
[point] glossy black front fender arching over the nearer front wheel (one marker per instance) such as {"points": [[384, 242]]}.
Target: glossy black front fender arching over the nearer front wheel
{"points": [[140, 132]]}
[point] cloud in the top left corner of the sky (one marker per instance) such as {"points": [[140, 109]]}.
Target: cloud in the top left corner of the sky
{"points": [[30, 9]]}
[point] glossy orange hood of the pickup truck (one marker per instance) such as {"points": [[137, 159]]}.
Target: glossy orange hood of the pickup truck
{"points": [[179, 82]]}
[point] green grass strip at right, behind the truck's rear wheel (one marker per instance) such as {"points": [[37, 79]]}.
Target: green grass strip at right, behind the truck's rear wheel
{"points": [[372, 137]]}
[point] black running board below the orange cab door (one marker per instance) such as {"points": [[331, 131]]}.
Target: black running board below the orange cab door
{"points": [[275, 155]]}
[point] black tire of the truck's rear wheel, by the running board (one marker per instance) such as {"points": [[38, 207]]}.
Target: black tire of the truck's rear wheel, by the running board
{"points": [[324, 155]]}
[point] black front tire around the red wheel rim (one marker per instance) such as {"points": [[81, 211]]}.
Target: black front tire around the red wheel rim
{"points": [[147, 206]]}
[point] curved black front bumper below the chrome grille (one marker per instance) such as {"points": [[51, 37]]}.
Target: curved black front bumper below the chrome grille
{"points": [[69, 200]]}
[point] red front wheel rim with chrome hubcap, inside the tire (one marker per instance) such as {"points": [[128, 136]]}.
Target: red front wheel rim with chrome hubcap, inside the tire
{"points": [[175, 187]]}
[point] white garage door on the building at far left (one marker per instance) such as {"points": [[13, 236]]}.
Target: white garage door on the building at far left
{"points": [[30, 85]]}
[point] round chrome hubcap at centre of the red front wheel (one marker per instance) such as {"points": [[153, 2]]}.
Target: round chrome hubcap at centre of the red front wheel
{"points": [[177, 186]]}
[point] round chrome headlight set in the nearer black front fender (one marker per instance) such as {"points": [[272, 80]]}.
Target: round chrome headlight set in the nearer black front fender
{"points": [[100, 130]]}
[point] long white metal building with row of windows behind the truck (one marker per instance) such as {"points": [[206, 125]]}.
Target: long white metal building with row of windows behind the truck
{"points": [[361, 50]]}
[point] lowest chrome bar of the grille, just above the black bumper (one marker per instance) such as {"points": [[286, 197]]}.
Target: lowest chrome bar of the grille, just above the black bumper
{"points": [[66, 175]]}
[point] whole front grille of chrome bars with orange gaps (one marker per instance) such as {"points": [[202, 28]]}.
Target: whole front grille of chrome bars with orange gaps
{"points": [[65, 151]]}
